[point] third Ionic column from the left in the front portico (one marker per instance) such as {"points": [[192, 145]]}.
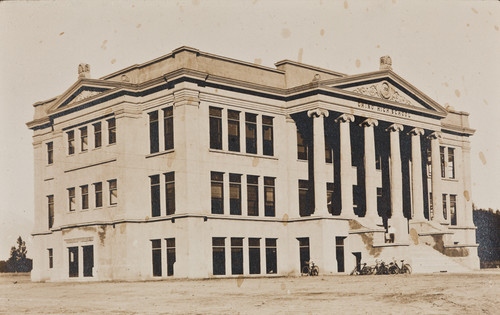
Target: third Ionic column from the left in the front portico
{"points": [[370, 170]]}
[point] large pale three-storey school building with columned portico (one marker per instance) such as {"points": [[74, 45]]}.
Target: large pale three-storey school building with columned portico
{"points": [[196, 165]]}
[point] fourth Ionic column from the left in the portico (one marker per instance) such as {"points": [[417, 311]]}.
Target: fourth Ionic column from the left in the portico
{"points": [[396, 172]]}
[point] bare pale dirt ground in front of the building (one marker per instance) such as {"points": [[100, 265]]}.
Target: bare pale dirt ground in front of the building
{"points": [[475, 293]]}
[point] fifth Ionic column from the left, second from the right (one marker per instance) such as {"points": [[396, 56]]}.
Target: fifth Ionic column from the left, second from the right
{"points": [[416, 171]]}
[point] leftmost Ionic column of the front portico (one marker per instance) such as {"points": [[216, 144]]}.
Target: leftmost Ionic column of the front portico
{"points": [[318, 115]]}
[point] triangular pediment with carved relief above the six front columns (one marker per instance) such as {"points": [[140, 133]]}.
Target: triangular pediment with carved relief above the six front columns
{"points": [[387, 86]]}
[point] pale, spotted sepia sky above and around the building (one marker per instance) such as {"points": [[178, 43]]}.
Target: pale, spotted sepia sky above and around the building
{"points": [[449, 50]]}
